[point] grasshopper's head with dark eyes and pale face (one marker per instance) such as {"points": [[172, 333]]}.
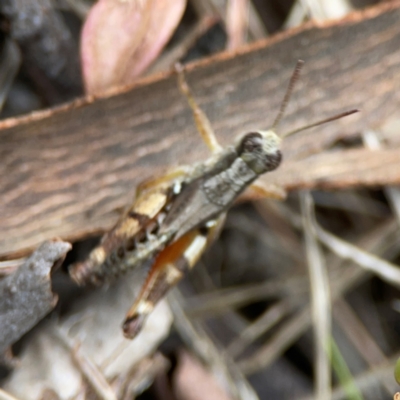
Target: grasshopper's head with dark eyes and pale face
{"points": [[260, 151]]}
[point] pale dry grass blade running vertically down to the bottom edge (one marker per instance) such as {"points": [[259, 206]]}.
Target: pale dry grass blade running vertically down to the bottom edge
{"points": [[320, 301]]}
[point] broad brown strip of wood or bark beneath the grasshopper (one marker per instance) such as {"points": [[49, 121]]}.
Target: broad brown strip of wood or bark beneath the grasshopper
{"points": [[68, 172]]}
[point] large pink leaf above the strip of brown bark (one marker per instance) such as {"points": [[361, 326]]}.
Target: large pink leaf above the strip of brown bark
{"points": [[120, 39]]}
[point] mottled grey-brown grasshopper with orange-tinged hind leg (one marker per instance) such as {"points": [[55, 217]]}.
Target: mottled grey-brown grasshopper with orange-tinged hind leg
{"points": [[175, 217]]}
